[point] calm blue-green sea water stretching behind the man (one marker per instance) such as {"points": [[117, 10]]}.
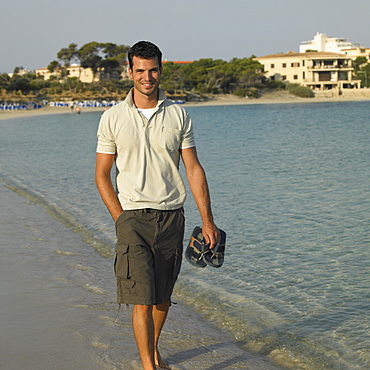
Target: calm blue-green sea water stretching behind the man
{"points": [[290, 186]]}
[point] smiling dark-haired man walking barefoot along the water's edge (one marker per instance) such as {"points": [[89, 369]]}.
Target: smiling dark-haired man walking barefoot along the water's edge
{"points": [[145, 136]]}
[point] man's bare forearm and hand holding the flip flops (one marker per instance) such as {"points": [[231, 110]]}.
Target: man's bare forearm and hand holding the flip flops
{"points": [[199, 187]]}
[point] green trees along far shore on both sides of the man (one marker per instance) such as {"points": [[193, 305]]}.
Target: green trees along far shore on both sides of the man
{"points": [[243, 77]]}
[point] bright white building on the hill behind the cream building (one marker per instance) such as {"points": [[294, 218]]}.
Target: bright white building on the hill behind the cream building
{"points": [[322, 42]]}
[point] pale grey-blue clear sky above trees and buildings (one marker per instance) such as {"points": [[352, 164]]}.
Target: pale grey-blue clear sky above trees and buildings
{"points": [[32, 32]]}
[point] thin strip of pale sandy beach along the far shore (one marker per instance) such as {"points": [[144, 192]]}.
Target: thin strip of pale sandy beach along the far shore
{"points": [[282, 97]]}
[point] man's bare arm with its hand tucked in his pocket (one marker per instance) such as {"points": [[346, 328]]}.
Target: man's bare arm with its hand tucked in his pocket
{"points": [[104, 163]]}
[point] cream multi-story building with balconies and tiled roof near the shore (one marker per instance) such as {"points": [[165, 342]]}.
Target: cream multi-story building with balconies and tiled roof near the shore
{"points": [[317, 70]]}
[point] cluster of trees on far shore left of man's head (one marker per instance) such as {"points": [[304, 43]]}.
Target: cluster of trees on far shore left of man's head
{"points": [[108, 57]]}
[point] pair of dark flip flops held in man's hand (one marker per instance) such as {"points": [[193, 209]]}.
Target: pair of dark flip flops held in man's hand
{"points": [[199, 254]]}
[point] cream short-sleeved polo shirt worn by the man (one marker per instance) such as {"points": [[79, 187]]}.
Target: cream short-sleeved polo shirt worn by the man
{"points": [[147, 152]]}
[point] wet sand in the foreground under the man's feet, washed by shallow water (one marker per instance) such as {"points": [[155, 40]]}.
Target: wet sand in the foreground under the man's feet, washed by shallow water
{"points": [[57, 313]]}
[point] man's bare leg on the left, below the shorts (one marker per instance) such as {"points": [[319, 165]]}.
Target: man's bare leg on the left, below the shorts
{"points": [[143, 325]]}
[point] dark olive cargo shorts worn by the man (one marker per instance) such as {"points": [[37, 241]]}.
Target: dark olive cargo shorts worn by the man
{"points": [[148, 255]]}
